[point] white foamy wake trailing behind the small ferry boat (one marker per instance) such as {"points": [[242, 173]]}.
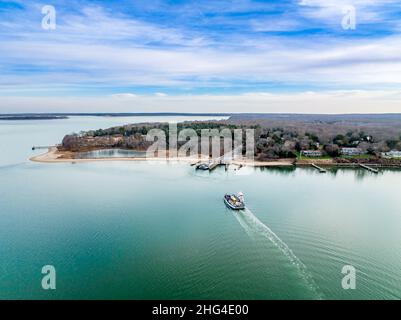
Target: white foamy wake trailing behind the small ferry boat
{"points": [[254, 227]]}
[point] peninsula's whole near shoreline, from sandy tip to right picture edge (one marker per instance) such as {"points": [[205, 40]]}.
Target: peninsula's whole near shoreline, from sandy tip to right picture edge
{"points": [[53, 155]]}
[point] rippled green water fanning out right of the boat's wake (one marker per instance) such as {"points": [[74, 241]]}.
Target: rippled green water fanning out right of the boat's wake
{"points": [[325, 254]]}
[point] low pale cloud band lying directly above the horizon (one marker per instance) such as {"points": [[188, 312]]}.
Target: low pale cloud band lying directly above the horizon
{"points": [[352, 101]]}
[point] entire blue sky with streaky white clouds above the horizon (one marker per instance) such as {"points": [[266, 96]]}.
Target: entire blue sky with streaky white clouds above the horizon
{"points": [[303, 56]]}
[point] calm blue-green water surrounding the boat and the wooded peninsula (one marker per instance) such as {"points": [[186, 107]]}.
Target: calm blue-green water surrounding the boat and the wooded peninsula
{"points": [[152, 230]]}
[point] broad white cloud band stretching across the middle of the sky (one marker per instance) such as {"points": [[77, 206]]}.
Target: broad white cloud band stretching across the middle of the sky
{"points": [[342, 62]]}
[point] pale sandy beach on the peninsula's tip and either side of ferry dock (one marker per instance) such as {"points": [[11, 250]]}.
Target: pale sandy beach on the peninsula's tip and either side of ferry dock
{"points": [[53, 155]]}
